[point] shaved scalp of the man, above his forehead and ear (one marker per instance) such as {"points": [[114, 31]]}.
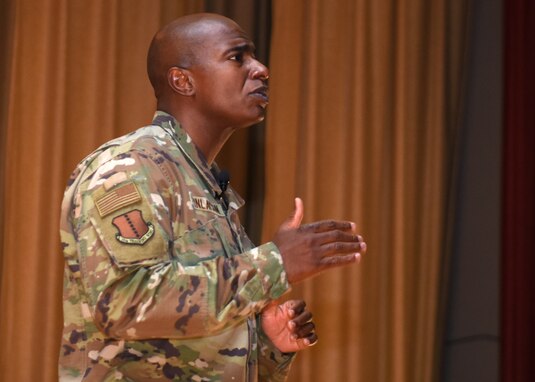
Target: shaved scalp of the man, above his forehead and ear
{"points": [[180, 44]]}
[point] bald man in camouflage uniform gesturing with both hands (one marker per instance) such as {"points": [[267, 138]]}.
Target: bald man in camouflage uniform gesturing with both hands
{"points": [[161, 281]]}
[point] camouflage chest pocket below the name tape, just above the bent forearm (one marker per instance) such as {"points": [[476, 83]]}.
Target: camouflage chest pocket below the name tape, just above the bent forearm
{"points": [[212, 239]]}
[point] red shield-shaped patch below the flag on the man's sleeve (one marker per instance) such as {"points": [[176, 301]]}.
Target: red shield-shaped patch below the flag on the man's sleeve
{"points": [[132, 228]]}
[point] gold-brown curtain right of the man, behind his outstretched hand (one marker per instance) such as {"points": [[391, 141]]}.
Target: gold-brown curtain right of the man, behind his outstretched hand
{"points": [[362, 126]]}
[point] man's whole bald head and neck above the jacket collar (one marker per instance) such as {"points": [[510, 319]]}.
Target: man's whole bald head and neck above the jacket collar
{"points": [[205, 74]]}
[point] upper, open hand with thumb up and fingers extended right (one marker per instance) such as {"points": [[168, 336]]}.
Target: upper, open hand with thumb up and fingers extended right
{"points": [[311, 248]]}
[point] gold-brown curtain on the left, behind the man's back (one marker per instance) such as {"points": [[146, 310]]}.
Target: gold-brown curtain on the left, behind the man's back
{"points": [[76, 78]]}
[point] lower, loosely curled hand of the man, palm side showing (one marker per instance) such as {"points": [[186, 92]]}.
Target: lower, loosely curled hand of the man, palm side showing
{"points": [[289, 325]]}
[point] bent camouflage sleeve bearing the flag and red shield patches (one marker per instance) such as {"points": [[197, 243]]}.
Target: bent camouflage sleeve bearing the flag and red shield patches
{"points": [[141, 281]]}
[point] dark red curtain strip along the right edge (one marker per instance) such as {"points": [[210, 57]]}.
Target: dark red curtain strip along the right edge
{"points": [[518, 299]]}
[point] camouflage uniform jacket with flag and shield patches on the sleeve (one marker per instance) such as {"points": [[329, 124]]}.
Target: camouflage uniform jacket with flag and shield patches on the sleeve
{"points": [[161, 281]]}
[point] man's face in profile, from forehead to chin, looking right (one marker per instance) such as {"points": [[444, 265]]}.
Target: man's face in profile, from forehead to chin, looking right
{"points": [[229, 82]]}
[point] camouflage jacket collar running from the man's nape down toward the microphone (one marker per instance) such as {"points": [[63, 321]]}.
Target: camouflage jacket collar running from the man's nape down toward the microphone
{"points": [[192, 152]]}
